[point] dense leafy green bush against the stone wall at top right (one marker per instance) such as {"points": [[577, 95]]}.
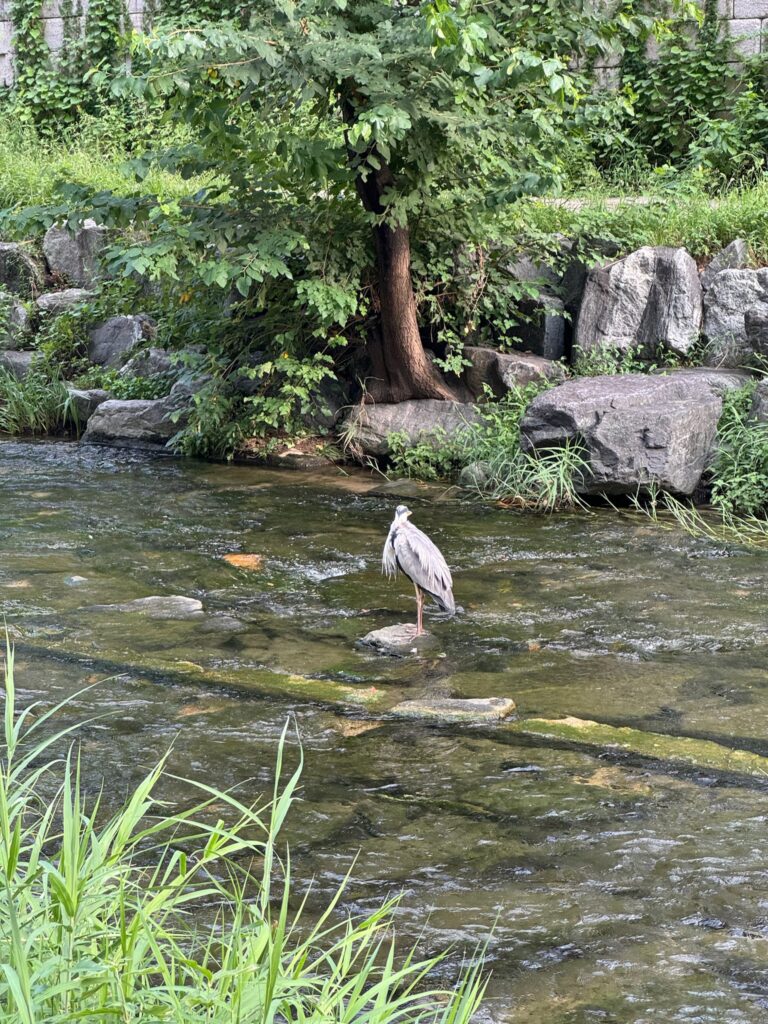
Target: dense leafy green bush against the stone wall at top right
{"points": [[694, 102]]}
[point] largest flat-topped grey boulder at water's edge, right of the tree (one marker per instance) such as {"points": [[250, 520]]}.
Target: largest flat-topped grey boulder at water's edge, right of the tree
{"points": [[637, 432]]}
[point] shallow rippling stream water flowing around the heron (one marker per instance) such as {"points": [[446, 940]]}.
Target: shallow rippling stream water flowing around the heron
{"points": [[616, 890]]}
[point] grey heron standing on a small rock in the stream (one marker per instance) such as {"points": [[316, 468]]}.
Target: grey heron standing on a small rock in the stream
{"points": [[412, 552]]}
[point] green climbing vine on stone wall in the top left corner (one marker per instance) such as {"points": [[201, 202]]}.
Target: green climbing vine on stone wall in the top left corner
{"points": [[53, 88]]}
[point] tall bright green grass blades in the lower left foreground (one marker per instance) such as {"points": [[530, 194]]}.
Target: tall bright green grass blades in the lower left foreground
{"points": [[147, 915]]}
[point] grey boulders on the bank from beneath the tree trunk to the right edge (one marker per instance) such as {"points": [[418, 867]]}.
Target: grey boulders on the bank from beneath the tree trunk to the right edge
{"points": [[637, 432]]}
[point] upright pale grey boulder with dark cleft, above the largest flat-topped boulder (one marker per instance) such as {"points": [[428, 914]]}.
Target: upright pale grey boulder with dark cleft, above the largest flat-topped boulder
{"points": [[650, 297]]}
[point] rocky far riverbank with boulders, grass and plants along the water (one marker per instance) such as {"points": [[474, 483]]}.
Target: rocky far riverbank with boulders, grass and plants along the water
{"points": [[642, 376]]}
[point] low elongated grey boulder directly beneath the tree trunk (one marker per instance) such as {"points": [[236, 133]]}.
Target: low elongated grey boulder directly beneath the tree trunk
{"points": [[368, 429]]}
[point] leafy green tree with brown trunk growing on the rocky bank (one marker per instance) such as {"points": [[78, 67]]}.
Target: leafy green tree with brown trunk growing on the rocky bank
{"points": [[353, 162]]}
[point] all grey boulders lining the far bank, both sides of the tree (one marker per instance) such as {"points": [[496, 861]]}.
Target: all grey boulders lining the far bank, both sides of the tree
{"points": [[636, 431]]}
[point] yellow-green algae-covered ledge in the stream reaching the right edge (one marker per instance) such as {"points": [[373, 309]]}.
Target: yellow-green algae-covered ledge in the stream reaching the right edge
{"points": [[702, 754]]}
